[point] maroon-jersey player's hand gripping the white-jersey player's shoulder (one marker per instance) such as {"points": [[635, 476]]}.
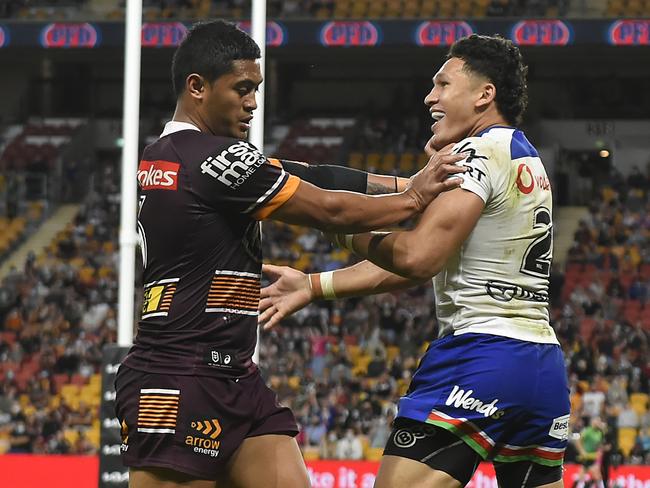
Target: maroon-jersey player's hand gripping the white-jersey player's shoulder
{"points": [[437, 176]]}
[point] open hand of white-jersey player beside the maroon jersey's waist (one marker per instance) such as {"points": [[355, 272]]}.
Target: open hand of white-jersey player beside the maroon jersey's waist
{"points": [[289, 292]]}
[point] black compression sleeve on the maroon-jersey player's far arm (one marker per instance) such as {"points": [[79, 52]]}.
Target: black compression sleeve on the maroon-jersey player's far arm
{"points": [[329, 176]]}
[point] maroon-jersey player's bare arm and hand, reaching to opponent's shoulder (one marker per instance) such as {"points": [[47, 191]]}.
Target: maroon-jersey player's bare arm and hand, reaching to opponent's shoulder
{"points": [[339, 211]]}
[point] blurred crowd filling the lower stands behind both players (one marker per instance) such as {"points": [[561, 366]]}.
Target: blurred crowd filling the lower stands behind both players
{"points": [[340, 365]]}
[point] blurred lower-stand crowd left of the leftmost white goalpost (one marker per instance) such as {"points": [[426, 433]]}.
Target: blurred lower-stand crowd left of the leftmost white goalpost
{"points": [[56, 314]]}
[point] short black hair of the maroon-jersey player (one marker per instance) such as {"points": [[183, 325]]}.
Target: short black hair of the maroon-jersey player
{"points": [[209, 50]]}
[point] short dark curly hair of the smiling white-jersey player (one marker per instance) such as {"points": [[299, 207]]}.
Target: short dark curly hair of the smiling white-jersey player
{"points": [[499, 60]]}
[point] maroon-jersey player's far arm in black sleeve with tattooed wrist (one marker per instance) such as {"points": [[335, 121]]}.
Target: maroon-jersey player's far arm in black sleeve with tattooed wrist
{"points": [[335, 177]]}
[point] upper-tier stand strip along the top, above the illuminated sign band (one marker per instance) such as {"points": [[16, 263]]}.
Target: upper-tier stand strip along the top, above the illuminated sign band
{"points": [[320, 9]]}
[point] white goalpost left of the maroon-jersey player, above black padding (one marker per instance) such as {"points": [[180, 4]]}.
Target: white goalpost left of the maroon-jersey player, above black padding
{"points": [[130, 156]]}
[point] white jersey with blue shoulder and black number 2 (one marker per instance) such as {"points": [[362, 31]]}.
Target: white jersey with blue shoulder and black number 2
{"points": [[497, 281]]}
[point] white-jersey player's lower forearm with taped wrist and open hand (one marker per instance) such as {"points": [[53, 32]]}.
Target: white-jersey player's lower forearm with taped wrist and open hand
{"points": [[292, 290]]}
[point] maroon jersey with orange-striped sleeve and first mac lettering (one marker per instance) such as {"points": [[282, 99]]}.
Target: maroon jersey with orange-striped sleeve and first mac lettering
{"points": [[200, 200]]}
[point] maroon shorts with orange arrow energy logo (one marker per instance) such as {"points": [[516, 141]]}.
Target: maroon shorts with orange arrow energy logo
{"points": [[193, 424]]}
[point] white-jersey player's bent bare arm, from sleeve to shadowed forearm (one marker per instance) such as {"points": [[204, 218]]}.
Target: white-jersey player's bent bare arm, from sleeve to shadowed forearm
{"points": [[421, 253]]}
